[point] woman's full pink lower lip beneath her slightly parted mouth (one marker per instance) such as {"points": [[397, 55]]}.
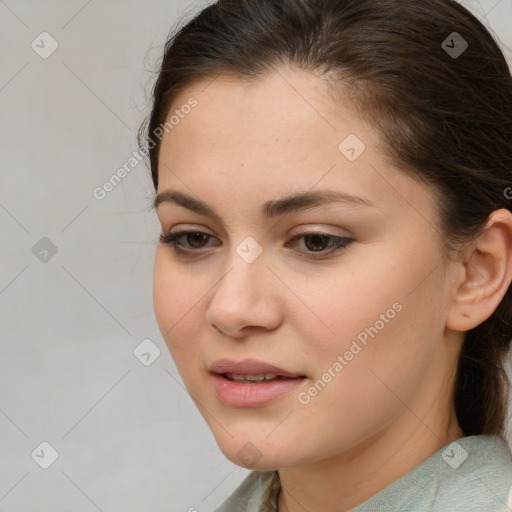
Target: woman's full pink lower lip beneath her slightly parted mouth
{"points": [[241, 394]]}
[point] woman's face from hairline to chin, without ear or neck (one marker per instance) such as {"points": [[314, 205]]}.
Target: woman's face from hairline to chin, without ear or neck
{"points": [[360, 317]]}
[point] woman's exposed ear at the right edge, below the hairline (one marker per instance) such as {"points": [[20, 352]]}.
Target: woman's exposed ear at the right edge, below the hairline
{"points": [[486, 273]]}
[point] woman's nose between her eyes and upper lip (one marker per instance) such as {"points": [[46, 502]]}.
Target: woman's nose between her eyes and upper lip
{"points": [[245, 298]]}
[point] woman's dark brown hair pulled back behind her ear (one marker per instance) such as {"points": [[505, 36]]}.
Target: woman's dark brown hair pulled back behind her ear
{"points": [[445, 119]]}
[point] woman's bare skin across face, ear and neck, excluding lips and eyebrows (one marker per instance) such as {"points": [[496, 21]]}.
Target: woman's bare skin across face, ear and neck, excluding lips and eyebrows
{"points": [[390, 407]]}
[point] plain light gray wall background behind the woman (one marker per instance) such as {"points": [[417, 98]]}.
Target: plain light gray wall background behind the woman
{"points": [[128, 436]]}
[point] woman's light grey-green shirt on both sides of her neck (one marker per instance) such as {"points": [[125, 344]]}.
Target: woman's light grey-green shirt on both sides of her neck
{"points": [[472, 474]]}
